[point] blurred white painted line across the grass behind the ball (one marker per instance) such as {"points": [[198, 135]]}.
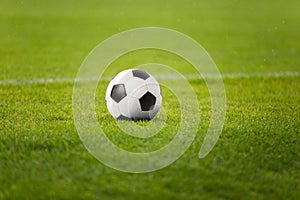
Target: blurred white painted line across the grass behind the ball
{"points": [[159, 77]]}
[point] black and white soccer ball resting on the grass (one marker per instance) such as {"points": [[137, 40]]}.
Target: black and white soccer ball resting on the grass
{"points": [[133, 95]]}
